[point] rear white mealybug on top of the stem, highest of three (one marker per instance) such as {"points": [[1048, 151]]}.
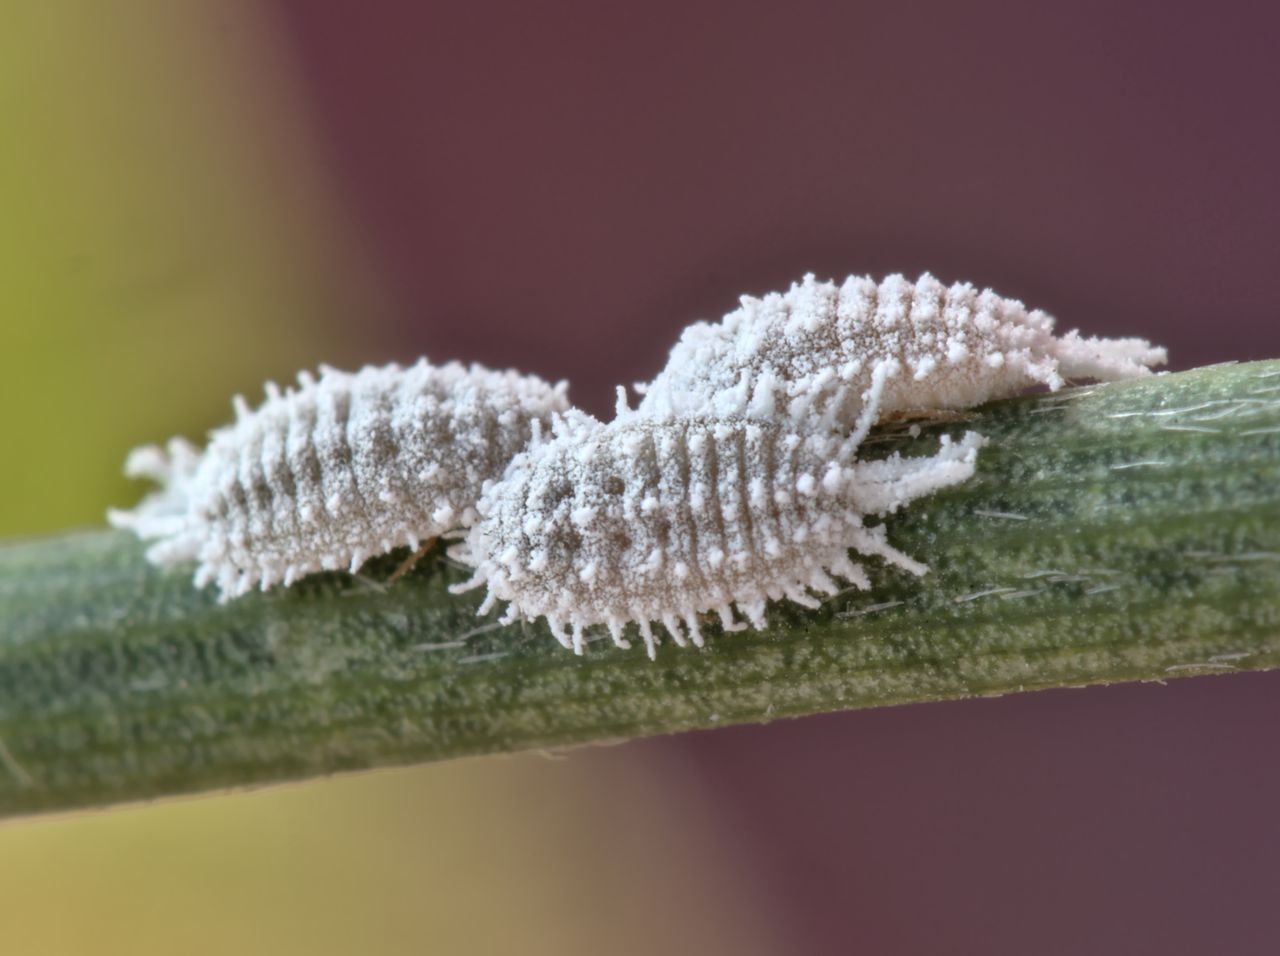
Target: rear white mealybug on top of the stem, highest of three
{"points": [[815, 353]]}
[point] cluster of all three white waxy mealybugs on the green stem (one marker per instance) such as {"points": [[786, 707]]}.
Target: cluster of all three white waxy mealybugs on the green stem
{"points": [[735, 481]]}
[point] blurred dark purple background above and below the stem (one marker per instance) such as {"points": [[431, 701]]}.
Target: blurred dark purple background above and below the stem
{"points": [[565, 186]]}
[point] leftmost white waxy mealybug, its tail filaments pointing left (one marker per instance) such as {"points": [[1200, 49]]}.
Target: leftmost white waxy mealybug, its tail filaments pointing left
{"points": [[344, 468]]}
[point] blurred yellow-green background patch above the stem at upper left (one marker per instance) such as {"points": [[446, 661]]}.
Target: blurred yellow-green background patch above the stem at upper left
{"points": [[162, 245]]}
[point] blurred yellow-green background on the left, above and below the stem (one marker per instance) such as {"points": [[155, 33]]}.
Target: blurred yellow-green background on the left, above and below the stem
{"points": [[168, 239]]}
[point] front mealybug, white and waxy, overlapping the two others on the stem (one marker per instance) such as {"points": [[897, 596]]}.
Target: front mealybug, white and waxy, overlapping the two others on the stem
{"points": [[661, 522]]}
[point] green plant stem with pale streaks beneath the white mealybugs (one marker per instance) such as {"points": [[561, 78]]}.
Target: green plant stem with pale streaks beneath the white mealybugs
{"points": [[1118, 533]]}
